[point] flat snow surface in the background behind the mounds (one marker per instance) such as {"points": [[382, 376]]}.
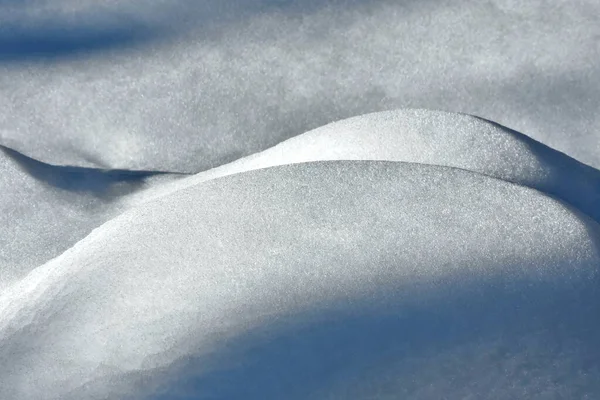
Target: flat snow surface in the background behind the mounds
{"points": [[186, 85]]}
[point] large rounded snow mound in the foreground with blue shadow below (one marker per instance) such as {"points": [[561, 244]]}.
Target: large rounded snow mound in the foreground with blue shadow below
{"points": [[342, 279]]}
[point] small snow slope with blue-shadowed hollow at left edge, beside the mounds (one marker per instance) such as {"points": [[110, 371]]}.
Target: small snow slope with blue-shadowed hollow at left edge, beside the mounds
{"points": [[46, 209]]}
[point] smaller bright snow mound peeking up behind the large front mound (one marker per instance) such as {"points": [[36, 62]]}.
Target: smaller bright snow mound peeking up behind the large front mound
{"points": [[437, 138]]}
